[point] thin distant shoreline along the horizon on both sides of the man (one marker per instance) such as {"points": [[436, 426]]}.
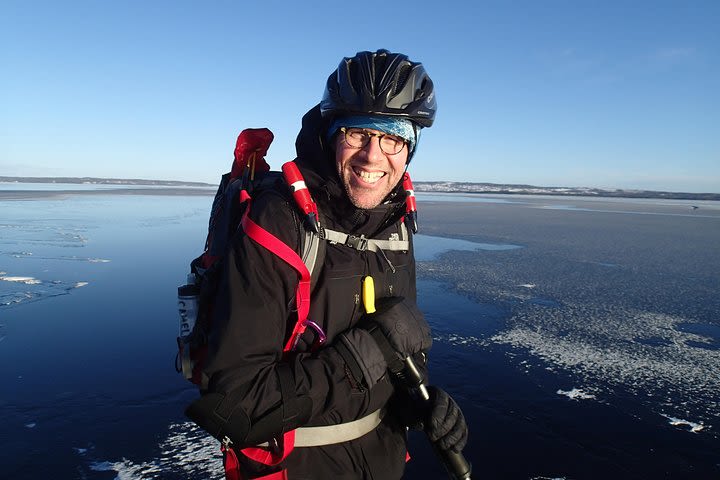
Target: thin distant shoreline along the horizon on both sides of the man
{"points": [[175, 187]]}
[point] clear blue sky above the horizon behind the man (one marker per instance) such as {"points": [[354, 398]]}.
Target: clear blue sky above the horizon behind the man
{"points": [[619, 94]]}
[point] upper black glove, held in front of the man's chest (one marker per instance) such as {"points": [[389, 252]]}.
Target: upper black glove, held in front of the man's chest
{"points": [[400, 330]]}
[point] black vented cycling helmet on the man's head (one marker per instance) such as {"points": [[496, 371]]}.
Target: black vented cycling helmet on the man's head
{"points": [[381, 83]]}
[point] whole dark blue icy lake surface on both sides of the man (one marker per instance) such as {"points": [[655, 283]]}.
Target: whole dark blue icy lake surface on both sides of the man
{"points": [[580, 336]]}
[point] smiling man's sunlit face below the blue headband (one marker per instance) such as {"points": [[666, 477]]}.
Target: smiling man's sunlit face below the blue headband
{"points": [[368, 173]]}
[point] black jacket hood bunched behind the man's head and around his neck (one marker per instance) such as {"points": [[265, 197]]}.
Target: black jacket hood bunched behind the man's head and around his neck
{"points": [[316, 161]]}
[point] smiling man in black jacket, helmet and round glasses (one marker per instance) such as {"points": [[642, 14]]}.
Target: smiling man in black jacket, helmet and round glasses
{"points": [[334, 389]]}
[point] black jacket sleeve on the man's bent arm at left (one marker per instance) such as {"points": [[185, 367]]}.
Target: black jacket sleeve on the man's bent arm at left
{"points": [[253, 314]]}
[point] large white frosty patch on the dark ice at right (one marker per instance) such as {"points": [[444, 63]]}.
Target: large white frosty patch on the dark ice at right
{"points": [[606, 350]]}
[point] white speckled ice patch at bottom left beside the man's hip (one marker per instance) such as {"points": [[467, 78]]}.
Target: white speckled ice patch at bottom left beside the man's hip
{"points": [[186, 452]]}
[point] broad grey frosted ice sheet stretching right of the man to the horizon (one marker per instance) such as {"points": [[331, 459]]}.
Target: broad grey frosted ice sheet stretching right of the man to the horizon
{"points": [[623, 304]]}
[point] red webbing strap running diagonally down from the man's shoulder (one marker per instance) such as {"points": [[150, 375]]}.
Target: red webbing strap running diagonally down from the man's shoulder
{"points": [[289, 256]]}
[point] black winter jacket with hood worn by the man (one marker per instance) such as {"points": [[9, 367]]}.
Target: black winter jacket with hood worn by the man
{"points": [[254, 316]]}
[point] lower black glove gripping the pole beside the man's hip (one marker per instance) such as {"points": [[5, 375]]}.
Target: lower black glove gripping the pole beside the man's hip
{"points": [[445, 424]]}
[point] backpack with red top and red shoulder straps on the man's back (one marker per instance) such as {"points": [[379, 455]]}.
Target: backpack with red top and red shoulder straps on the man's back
{"points": [[250, 174]]}
